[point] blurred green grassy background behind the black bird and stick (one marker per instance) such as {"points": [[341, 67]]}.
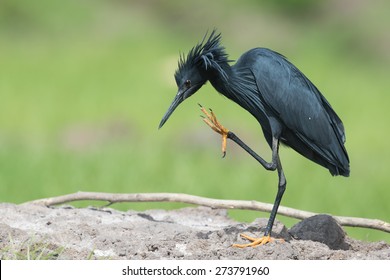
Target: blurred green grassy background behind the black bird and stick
{"points": [[84, 84]]}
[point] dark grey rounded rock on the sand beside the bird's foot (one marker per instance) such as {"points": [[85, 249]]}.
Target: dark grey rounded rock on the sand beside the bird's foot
{"points": [[321, 228]]}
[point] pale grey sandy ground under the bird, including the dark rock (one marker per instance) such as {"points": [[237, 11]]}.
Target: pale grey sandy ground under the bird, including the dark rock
{"points": [[189, 233]]}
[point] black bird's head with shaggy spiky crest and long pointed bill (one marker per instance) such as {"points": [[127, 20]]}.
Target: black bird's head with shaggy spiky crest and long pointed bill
{"points": [[193, 69]]}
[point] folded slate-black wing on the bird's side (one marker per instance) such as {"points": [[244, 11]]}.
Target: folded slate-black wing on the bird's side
{"points": [[295, 101]]}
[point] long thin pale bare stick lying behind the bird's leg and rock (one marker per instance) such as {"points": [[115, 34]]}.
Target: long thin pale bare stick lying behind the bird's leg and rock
{"points": [[213, 203]]}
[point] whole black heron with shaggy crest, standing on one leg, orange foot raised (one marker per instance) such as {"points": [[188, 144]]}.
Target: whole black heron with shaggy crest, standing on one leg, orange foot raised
{"points": [[288, 106]]}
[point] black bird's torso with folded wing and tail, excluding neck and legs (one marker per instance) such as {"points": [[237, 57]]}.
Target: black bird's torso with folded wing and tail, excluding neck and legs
{"points": [[305, 120]]}
